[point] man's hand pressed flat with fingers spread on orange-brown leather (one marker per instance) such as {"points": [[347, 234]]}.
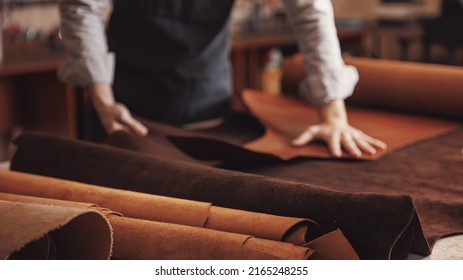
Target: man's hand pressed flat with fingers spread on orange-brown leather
{"points": [[337, 133]]}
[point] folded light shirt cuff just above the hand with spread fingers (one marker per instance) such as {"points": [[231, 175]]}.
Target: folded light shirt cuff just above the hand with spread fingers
{"points": [[324, 87]]}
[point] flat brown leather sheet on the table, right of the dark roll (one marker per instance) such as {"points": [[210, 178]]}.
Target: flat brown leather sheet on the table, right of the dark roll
{"points": [[429, 171]]}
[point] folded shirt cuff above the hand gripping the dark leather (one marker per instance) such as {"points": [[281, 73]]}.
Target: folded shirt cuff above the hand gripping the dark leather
{"points": [[84, 71]]}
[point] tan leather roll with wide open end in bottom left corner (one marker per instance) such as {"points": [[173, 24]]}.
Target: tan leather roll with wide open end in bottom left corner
{"points": [[50, 231]]}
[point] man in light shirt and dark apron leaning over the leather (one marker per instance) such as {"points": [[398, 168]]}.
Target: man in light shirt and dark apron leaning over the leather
{"points": [[172, 64]]}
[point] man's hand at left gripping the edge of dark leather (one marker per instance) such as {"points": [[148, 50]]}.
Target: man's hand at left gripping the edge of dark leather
{"points": [[114, 116]]}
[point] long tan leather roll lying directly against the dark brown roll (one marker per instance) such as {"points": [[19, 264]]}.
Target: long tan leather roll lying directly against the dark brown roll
{"points": [[163, 209]]}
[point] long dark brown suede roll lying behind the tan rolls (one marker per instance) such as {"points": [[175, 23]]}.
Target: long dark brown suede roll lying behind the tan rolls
{"points": [[373, 223]]}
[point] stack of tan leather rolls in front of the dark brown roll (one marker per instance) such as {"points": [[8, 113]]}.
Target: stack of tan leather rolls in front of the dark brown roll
{"points": [[53, 218]]}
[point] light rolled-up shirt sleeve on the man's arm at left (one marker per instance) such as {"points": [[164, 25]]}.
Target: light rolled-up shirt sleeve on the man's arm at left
{"points": [[83, 32]]}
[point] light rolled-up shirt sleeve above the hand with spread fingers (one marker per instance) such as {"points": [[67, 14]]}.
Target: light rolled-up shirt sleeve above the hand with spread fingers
{"points": [[328, 78]]}
